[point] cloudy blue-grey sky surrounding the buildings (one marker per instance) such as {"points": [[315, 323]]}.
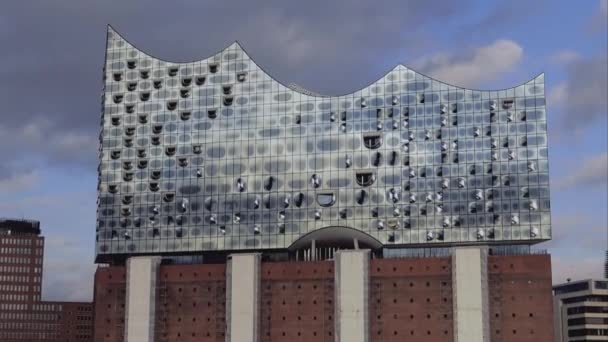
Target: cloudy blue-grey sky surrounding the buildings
{"points": [[51, 79]]}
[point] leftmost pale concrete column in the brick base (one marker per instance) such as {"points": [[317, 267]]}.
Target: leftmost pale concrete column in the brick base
{"points": [[141, 298]]}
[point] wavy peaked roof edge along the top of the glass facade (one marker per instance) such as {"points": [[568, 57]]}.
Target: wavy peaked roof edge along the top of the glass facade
{"points": [[400, 65]]}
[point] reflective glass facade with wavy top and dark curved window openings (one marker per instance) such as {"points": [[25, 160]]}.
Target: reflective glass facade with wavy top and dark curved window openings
{"points": [[217, 155]]}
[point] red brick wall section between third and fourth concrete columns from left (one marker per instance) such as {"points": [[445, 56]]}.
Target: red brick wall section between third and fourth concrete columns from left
{"points": [[411, 299]]}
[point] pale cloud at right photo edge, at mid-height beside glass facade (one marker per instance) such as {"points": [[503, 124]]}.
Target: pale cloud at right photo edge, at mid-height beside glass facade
{"points": [[592, 171]]}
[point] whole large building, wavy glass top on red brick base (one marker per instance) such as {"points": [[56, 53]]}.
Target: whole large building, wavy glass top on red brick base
{"points": [[269, 212]]}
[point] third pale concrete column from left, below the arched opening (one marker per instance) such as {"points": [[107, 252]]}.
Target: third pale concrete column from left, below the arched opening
{"points": [[351, 295]]}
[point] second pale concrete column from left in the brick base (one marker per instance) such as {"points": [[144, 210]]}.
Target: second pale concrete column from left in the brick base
{"points": [[242, 298]]}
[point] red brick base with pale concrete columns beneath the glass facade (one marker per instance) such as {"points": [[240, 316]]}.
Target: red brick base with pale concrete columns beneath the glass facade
{"points": [[402, 298]]}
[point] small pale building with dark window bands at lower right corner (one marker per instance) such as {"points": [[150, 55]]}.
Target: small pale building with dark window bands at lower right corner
{"points": [[581, 310]]}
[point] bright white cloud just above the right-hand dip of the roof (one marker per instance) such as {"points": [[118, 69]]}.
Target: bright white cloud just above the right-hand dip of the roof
{"points": [[482, 64]]}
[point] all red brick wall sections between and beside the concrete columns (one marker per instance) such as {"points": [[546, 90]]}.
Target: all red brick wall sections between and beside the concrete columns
{"points": [[409, 299]]}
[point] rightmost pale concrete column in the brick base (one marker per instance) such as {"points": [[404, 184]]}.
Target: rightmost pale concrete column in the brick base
{"points": [[470, 292]]}
